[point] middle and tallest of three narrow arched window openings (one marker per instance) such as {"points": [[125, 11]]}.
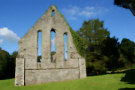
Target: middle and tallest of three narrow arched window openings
{"points": [[53, 46]]}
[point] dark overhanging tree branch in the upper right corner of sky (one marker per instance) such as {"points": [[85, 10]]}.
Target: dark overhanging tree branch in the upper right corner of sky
{"points": [[128, 4]]}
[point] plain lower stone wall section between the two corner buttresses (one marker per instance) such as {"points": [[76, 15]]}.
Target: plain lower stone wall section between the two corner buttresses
{"points": [[51, 75]]}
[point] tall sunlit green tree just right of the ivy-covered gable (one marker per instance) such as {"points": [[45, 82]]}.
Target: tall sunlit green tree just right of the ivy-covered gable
{"points": [[93, 33]]}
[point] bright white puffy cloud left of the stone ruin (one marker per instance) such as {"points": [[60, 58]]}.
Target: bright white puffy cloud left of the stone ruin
{"points": [[9, 35]]}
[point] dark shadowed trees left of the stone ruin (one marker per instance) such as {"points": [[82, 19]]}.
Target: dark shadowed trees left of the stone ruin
{"points": [[7, 64]]}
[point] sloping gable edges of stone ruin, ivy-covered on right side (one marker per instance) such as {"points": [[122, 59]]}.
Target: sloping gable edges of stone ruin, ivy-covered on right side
{"points": [[77, 40]]}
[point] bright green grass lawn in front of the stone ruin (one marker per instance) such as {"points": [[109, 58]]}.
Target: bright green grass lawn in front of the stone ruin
{"points": [[102, 82]]}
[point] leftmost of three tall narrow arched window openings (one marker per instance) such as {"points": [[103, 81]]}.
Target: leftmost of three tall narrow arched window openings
{"points": [[39, 59]]}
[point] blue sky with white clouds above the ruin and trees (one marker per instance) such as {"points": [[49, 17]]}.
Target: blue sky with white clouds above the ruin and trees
{"points": [[18, 16]]}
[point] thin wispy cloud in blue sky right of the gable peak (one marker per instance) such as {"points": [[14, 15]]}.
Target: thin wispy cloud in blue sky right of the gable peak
{"points": [[73, 12]]}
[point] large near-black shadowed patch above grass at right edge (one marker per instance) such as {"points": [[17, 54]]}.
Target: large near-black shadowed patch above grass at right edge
{"points": [[129, 77]]}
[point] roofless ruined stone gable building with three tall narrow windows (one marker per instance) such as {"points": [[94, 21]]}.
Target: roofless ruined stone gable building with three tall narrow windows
{"points": [[50, 68]]}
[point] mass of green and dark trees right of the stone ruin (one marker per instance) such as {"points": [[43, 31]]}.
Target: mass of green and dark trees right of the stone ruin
{"points": [[102, 52]]}
